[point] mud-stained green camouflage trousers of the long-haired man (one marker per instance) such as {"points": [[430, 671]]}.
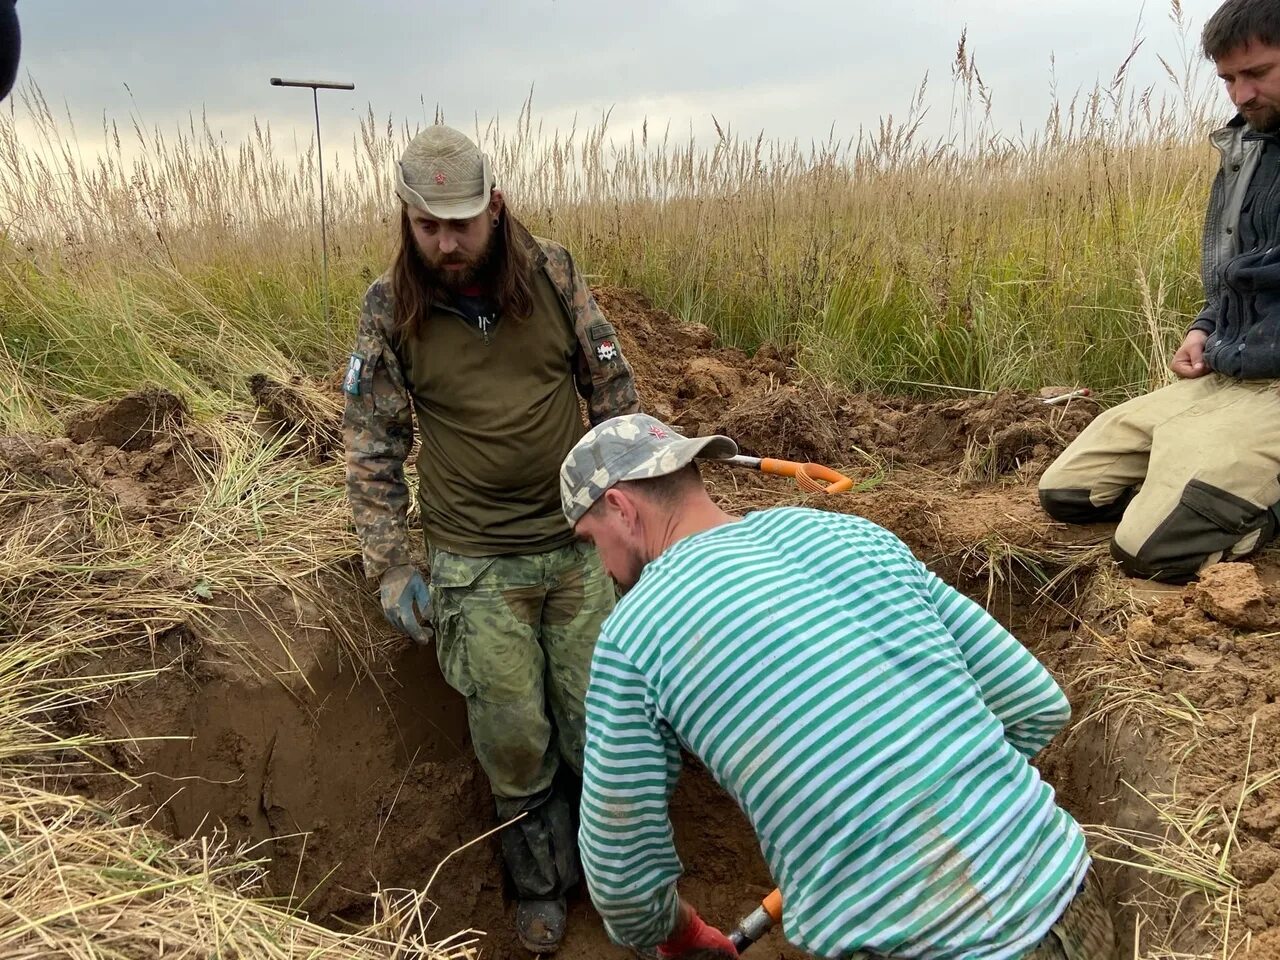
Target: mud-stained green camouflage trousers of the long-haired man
{"points": [[515, 637]]}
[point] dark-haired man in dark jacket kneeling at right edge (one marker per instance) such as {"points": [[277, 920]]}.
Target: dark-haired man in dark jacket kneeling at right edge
{"points": [[1192, 472]]}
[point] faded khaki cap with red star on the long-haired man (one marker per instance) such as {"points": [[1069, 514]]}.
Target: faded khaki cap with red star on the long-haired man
{"points": [[444, 173]]}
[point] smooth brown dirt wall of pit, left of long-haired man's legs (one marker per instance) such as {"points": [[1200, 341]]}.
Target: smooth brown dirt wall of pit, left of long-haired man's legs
{"points": [[267, 728]]}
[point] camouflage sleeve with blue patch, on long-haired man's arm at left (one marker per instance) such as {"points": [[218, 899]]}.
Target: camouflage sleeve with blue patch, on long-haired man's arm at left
{"points": [[378, 432]]}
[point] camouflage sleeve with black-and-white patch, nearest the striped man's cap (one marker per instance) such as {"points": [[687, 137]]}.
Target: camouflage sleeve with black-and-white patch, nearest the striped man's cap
{"points": [[604, 376]]}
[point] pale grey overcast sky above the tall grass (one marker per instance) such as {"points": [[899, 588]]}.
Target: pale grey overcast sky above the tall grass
{"points": [[790, 68]]}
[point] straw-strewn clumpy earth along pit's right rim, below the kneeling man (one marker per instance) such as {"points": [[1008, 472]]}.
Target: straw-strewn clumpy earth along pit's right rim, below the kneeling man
{"points": [[1186, 702]]}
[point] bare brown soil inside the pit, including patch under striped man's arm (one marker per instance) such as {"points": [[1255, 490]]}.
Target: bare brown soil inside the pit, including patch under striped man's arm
{"points": [[349, 783]]}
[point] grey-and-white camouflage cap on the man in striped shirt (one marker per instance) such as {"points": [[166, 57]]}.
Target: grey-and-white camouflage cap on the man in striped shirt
{"points": [[633, 447]]}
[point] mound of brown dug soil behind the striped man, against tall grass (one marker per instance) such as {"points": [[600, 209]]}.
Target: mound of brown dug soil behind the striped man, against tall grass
{"points": [[775, 412]]}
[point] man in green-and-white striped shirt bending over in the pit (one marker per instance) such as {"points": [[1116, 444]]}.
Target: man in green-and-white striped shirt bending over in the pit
{"points": [[875, 725]]}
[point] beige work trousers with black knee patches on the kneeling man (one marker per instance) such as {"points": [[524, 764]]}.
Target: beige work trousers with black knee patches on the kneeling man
{"points": [[1191, 473]]}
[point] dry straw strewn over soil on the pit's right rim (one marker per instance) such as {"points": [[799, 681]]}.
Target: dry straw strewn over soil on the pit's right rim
{"points": [[1173, 844]]}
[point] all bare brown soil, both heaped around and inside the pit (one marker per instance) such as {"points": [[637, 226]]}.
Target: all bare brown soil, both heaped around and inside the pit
{"points": [[356, 779]]}
